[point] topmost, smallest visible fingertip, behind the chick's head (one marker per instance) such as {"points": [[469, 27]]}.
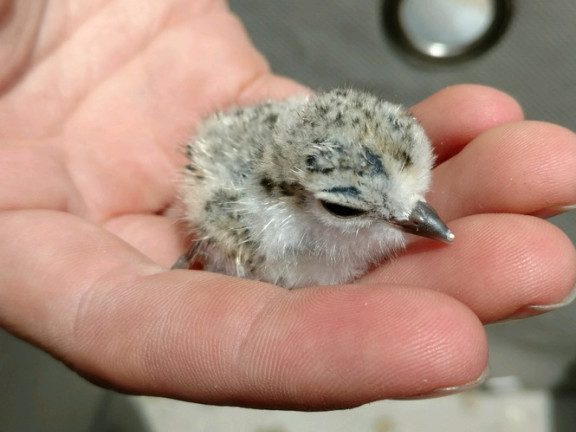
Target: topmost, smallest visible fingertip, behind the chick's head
{"points": [[457, 114]]}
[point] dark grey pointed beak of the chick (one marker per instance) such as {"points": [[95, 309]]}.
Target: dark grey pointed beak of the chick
{"points": [[425, 222]]}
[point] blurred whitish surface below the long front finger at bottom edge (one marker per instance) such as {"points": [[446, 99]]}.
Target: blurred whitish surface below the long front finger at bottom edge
{"points": [[526, 411]]}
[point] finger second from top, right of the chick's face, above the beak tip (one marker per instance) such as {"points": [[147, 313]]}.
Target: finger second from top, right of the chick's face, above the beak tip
{"points": [[525, 167]]}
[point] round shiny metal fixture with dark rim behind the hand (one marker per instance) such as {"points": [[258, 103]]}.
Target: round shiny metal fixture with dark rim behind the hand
{"points": [[445, 29]]}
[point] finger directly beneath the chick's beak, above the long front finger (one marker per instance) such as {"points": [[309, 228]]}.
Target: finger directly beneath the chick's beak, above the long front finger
{"points": [[498, 265]]}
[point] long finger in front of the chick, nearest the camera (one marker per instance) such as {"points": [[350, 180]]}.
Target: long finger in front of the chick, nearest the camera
{"points": [[94, 302]]}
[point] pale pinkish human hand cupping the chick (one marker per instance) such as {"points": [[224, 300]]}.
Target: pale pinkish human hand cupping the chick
{"points": [[96, 98]]}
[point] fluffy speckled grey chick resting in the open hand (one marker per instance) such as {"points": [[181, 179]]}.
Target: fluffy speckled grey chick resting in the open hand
{"points": [[308, 191]]}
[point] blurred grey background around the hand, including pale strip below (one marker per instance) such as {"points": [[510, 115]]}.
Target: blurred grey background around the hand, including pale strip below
{"points": [[403, 51]]}
